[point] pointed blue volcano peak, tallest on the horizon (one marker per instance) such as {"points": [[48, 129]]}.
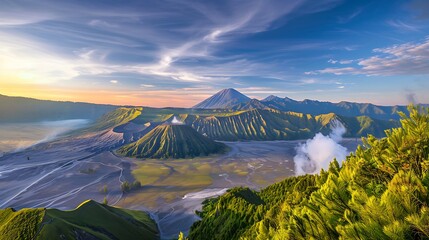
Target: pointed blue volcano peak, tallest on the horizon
{"points": [[225, 98]]}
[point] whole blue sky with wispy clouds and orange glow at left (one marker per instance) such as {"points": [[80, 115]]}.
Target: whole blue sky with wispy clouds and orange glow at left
{"points": [[179, 52]]}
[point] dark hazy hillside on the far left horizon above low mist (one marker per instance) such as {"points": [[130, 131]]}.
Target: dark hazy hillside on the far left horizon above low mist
{"points": [[19, 109]]}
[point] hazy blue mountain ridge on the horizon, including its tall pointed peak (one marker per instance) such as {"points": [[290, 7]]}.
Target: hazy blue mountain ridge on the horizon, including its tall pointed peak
{"points": [[236, 102]]}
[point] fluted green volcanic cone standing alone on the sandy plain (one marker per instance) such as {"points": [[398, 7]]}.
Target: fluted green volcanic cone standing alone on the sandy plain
{"points": [[171, 141]]}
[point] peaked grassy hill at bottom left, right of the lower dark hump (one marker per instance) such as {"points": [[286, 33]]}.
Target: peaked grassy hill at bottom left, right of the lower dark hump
{"points": [[93, 220]]}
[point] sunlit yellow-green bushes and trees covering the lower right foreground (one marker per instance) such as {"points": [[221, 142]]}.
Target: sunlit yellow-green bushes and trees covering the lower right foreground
{"points": [[380, 192]]}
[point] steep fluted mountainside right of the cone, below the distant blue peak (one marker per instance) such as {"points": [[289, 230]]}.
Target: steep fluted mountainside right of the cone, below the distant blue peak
{"points": [[270, 124]]}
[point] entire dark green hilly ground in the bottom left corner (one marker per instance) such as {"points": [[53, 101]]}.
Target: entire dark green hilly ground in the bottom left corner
{"points": [[90, 220]]}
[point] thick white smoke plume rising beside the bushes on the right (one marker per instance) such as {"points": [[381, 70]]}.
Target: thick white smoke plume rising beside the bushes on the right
{"points": [[318, 152]]}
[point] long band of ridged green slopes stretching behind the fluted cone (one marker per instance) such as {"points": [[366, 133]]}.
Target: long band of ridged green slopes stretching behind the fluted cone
{"points": [[254, 124]]}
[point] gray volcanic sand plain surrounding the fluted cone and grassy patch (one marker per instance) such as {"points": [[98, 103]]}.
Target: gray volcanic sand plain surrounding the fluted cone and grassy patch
{"points": [[63, 173]]}
